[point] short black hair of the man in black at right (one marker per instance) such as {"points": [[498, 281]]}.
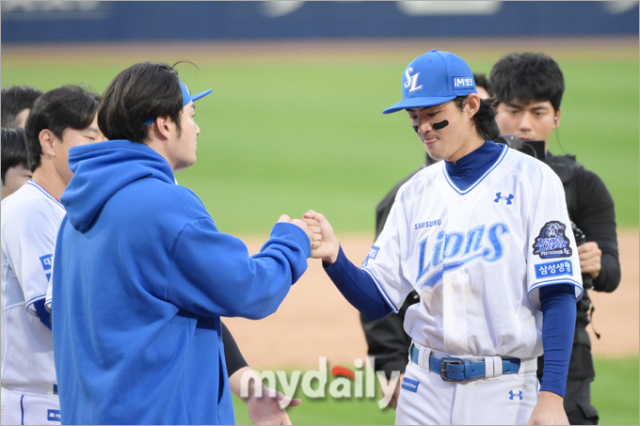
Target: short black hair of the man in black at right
{"points": [[528, 77]]}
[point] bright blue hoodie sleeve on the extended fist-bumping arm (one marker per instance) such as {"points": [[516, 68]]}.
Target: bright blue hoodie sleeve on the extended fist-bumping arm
{"points": [[212, 274]]}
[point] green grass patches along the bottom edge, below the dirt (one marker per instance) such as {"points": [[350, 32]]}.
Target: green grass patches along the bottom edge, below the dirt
{"points": [[614, 394]]}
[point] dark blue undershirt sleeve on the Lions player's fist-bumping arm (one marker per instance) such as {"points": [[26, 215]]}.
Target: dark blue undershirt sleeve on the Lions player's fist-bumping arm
{"points": [[358, 288]]}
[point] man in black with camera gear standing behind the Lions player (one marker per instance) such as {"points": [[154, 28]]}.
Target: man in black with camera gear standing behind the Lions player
{"points": [[528, 88]]}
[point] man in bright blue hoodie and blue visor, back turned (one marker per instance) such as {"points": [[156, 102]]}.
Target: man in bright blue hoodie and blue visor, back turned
{"points": [[142, 275]]}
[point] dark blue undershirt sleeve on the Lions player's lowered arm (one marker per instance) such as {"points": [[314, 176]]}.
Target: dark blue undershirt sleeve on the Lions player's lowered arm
{"points": [[558, 325]]}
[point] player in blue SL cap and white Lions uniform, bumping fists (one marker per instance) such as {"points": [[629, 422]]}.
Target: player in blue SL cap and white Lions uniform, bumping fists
{"points": [[484, 238]]}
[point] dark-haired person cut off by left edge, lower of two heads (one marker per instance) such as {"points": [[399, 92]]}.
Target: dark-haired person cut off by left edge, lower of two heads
{"points": [[15, 162]]}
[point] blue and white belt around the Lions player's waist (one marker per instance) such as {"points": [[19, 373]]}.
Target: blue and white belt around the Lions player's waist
{"points": [[453, 369]]}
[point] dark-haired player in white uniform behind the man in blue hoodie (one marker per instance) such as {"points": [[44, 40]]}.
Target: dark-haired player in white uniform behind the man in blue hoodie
{"points": [[30, 220]]}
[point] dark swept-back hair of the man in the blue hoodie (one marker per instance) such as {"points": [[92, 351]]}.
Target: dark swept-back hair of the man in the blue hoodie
{"points": [[139, 93]]}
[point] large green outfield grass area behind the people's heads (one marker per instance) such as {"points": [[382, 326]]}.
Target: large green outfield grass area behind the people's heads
{"points": [[282, 135]]}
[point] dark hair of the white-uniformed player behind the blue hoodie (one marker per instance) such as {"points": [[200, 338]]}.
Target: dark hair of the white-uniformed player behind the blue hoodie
{"points": [[69, 106]]}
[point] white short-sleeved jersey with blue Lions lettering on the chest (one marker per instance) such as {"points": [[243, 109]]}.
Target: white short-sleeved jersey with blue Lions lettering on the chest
{"points": [[477, 257]]}
